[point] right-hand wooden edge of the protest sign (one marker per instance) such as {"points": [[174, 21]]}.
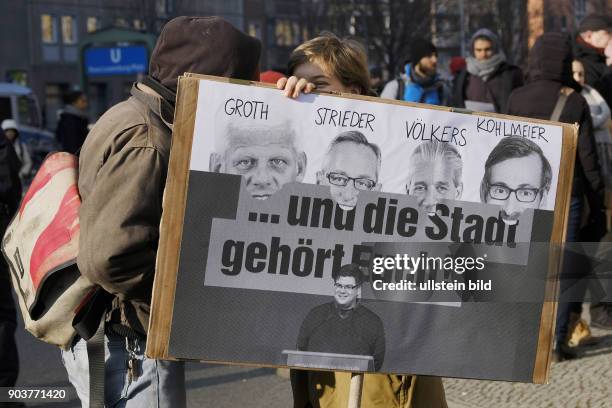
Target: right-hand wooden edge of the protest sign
{"points": [[562, 203]]}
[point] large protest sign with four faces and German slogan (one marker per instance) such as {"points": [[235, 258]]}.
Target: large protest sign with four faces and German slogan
{"points": [[352, 233]]}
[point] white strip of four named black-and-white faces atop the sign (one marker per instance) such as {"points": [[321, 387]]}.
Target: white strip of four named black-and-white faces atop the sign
{"points": [[353, 146]]}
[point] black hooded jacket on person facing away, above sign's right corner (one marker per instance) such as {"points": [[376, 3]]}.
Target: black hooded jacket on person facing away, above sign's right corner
{"points": [[550, 68]]}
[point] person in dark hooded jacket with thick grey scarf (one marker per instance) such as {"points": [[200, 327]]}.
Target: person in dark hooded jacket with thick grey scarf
{"points": [[487, 78]]}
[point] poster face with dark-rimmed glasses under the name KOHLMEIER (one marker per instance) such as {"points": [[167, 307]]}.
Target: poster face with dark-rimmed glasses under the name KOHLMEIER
{"points": [[517, 177]]}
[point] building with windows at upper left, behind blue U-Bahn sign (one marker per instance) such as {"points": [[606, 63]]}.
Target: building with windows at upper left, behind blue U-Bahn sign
{"points": [[41, 43]]}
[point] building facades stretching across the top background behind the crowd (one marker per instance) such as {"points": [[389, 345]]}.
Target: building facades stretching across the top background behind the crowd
{"points": [[42, 40]]}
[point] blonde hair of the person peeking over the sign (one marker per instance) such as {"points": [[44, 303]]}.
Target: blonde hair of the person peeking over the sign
{"points": [[343, 58]]}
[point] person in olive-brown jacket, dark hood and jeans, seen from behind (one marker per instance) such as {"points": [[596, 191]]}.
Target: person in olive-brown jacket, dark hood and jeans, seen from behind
{"points": [[122, 173]]}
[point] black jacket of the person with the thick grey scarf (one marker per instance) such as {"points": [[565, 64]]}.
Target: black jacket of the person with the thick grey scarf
{"points": [[500, 85]]}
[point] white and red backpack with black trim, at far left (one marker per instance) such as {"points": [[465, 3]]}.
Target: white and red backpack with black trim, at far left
{"points": [[40, 246]]}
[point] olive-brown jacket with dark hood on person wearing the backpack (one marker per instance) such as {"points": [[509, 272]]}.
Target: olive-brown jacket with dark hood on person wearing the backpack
{"points": [[124, 161]]}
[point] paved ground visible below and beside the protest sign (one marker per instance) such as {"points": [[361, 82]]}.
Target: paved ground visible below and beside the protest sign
{"points": [[581, 383]]}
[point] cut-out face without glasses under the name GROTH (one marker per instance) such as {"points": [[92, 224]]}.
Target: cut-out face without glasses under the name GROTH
{"points": [[266, 157]]}
